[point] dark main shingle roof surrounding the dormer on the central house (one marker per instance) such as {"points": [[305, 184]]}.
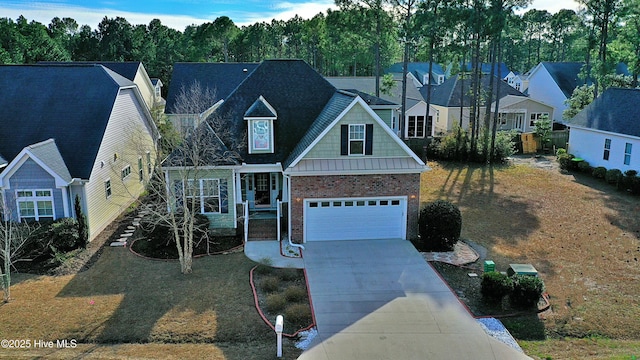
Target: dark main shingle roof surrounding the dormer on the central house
{"points": [[296, 92]]}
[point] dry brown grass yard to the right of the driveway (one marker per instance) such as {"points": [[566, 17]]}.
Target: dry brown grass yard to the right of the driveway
{"points": [[581, 235]]}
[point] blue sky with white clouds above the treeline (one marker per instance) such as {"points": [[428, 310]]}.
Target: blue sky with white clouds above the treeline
{"points": [[178, 14]]}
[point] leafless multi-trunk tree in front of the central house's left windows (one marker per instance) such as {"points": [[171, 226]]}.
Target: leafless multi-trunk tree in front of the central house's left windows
{"points": [[180, 189]]}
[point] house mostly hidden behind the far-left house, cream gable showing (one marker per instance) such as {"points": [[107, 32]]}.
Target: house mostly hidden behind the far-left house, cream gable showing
{"points": [[131, 70]]}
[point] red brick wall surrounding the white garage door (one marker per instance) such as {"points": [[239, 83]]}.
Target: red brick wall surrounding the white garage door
{"points": [[341, 186]]}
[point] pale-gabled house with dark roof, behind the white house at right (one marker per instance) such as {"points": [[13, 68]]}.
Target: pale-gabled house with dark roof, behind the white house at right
{"points": [[553, 83]]}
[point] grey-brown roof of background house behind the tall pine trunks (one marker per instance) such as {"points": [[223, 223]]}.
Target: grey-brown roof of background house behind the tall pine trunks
{"points": [[448, 93]]}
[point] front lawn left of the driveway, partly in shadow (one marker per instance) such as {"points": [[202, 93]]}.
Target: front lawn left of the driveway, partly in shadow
{"points": [[124, 301]]}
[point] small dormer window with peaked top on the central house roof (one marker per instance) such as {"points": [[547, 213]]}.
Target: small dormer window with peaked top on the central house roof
{"points": [[260, 119]]}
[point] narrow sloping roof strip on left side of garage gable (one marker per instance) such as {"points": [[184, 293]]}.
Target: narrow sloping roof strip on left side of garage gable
{"points": [[336, 105]]}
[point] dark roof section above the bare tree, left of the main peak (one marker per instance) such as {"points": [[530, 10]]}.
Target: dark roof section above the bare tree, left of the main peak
{"points": [[220, 78]]}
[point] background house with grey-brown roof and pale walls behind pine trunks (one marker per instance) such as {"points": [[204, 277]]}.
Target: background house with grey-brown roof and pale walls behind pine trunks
{"points": [[448, 102]]}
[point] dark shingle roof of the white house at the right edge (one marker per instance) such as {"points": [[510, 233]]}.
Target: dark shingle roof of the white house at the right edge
{"points": [[615, 111]]}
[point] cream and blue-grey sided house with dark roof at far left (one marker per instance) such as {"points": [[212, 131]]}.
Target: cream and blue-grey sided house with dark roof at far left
{"points": [[72, 131]]}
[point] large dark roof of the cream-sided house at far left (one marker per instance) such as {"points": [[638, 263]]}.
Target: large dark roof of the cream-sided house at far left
{"points": [[74, 112]]}
